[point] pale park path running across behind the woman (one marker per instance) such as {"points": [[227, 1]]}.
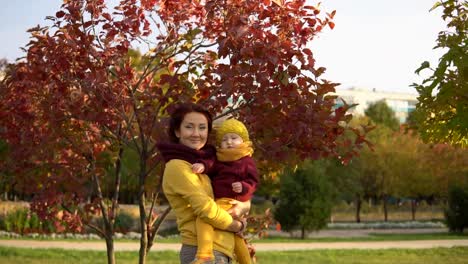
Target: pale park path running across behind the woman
{"points": [[134, 246]]}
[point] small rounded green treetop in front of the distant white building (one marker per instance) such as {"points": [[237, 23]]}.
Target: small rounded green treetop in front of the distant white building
{"points": [[381, 114]]}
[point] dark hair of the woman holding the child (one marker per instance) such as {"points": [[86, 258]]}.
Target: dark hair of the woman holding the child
{"points": [[178, 114]]}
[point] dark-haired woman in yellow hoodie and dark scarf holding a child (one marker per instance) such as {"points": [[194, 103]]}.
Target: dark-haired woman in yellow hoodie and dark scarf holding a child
{"points": [[189, 194]]}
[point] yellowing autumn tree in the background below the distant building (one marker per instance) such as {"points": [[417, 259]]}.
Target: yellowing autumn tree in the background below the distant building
{"points": [[378, 171]]}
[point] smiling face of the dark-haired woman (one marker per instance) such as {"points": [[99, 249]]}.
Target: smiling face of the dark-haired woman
{"points": [[193, 131]]}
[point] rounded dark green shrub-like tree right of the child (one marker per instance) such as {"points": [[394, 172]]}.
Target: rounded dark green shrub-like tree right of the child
{"points": [[305, 198]]}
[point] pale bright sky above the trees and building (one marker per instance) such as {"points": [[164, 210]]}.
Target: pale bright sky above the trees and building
{"points": [[376, 44]]}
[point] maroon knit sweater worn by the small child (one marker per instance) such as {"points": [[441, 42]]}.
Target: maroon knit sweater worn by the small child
{"points": [[223, 174]]}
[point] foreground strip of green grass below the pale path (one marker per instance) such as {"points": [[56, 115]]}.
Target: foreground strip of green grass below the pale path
{"points": [[456, 255]]}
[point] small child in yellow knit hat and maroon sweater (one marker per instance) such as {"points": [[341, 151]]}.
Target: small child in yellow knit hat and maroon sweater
{"points": [[233, 177]]}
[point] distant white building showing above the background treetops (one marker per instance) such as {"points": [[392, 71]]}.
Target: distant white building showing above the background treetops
{"points": [[401, 103]]}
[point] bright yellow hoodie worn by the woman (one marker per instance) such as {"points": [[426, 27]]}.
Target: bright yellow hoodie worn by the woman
{"points": [[190, 195]]}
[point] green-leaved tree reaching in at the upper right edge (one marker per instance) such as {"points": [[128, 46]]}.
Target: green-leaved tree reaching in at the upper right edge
{"points": [[442, 110]]}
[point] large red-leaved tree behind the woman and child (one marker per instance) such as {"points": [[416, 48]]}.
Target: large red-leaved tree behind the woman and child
{"points": [[77, 101]]}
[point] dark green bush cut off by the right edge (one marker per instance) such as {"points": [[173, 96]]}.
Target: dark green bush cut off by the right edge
{"points": [[456, 214]]}
